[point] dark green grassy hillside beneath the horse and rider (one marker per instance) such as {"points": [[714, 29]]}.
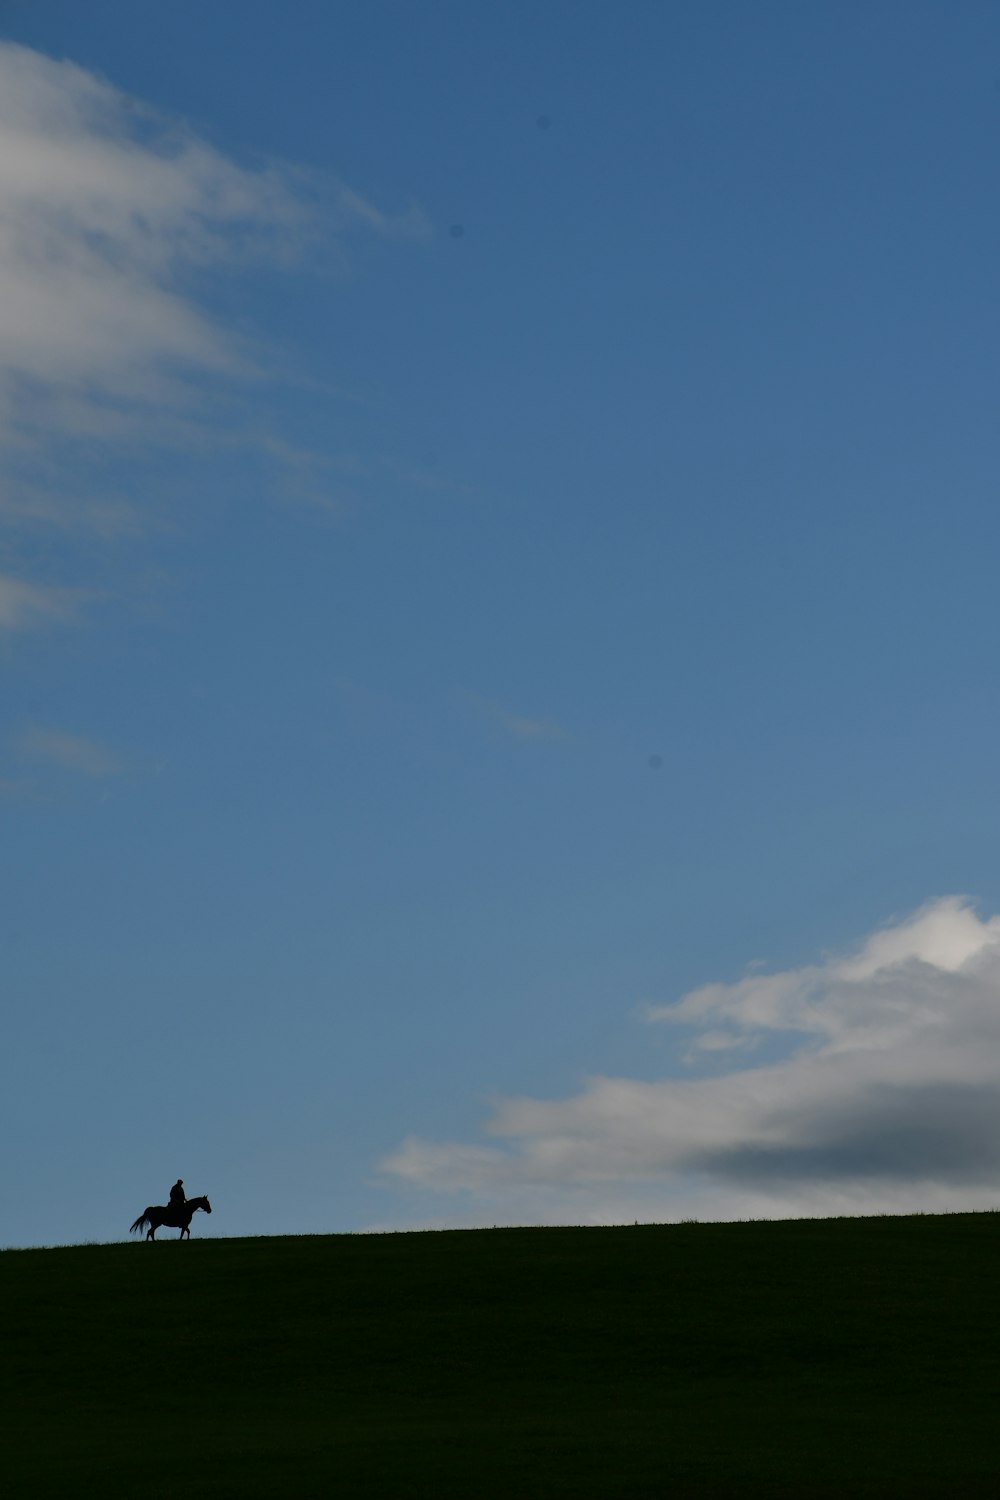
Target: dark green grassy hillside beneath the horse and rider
{"points": [[809, 1358]]}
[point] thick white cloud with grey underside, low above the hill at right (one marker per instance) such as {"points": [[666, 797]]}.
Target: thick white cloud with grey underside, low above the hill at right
{"points": [[890, 1097]]}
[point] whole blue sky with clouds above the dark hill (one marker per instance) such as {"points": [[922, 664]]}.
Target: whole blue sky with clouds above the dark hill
{"points": [[499, 613]]}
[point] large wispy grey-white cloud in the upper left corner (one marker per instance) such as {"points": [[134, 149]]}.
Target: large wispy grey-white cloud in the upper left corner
{"points": [[106, 208]]}
